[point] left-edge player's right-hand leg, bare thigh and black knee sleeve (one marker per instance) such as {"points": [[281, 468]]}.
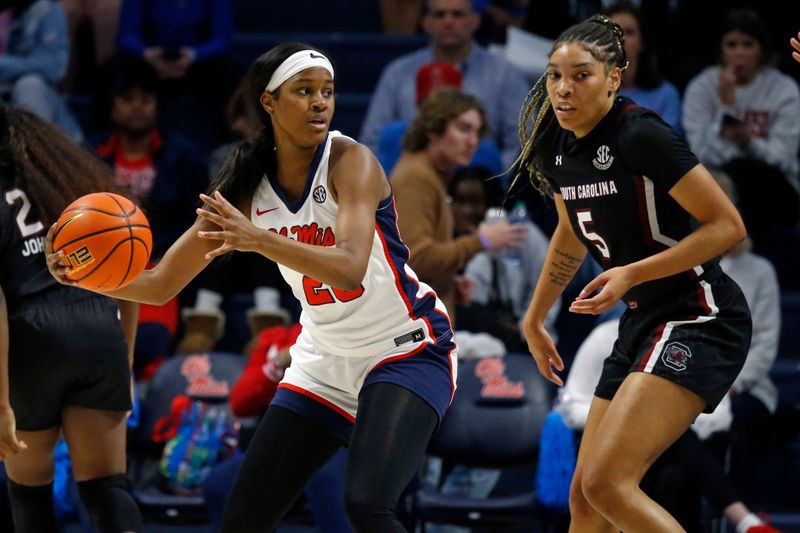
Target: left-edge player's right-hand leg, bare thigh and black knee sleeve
{"points": [[96, 441]]}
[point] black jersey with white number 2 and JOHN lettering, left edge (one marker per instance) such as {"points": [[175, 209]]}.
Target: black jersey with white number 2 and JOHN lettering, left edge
{"points": [[23, 270]]}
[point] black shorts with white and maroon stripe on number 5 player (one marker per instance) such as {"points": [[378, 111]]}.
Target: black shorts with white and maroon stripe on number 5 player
{"points": [[698, 339]]}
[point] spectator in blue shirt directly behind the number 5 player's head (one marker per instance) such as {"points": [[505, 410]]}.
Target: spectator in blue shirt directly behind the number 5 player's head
{"points": [[641, 81]]}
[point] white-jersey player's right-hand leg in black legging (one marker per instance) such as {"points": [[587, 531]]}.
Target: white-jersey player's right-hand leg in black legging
{"points": [[392, 430]]}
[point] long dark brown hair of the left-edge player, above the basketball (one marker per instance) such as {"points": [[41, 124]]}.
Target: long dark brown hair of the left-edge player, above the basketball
{"points": [[48, 166]]}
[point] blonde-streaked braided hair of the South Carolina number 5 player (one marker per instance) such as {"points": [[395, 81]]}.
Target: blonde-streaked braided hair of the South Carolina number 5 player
{"points": [[605, 40]]}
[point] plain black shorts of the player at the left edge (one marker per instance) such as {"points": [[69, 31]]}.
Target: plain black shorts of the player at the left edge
{"points": [[66, 348]]}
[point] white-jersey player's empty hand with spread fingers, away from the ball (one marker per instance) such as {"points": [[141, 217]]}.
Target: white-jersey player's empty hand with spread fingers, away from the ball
{"points": [[237, 232]]}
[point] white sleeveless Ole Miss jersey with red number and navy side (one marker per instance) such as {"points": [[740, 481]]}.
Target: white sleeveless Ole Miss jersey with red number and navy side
{"points": [[391, 313]]}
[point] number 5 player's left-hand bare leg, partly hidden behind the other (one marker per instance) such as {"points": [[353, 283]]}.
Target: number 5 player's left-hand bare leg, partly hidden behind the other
{"points": [[583, 517]]}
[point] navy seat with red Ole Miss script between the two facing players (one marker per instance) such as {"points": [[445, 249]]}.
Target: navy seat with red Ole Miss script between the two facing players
{"points": [[494, 422]]}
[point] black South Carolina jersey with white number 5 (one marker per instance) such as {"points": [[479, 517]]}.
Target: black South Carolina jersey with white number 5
{"points": [[615, 182]]}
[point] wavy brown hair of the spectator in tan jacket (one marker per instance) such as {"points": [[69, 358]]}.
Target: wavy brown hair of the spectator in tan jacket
{"points": [[436, 112]]}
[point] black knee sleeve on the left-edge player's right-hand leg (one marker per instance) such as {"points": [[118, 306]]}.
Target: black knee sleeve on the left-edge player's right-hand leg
{"points": [[108, 501]]}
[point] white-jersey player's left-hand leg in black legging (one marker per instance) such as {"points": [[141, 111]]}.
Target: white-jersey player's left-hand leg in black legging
{"points": [[284, 453]]}
